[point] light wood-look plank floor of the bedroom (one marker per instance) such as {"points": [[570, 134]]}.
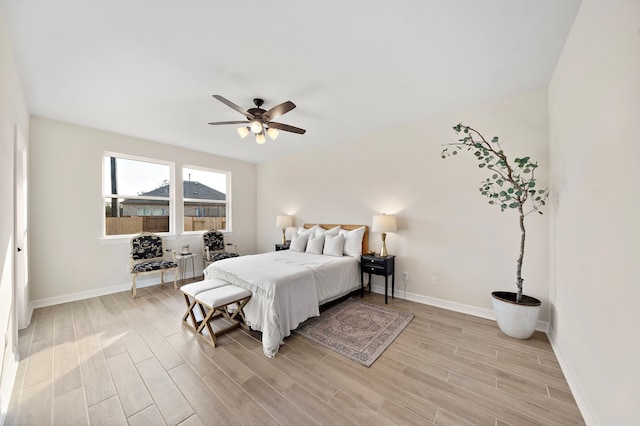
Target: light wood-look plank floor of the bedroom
{"points": [[112, 360]]}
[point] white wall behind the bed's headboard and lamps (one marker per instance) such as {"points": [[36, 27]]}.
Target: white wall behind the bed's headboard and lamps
{"points": [[446, 227]]}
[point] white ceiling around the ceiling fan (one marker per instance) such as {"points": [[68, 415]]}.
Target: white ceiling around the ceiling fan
{"points": [[148, 68]]}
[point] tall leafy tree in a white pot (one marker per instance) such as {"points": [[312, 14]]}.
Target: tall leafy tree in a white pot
{"points": [[511, 185]]}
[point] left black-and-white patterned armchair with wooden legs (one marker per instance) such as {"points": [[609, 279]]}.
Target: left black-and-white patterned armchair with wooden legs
{"points": [[146, 257]]}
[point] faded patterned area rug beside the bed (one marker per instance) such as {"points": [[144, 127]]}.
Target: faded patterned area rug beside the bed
{"points": [[358, 330]]}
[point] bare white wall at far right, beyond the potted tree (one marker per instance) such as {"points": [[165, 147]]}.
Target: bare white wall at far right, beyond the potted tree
{"points": [[594, 109]]}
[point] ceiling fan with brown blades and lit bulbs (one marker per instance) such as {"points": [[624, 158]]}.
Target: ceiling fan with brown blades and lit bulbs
{"points": [[259, 120]]}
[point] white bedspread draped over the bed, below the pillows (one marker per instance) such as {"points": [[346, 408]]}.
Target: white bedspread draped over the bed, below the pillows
{"points": [[287, 287]]}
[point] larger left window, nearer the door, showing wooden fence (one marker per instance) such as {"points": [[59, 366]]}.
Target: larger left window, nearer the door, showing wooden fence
{"points": [[137, 195]]}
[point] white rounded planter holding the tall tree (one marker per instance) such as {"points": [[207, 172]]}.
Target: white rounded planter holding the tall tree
{"points": [[517, 320]]}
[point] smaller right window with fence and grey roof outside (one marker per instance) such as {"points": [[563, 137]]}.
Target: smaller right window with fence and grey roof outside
{"points": [[206, 199]]}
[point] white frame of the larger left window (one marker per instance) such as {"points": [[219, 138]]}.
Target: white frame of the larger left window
{"points": [[172, 194]]}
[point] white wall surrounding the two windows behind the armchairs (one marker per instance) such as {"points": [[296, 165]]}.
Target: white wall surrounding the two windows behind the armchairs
{"points": [[68, 257]]}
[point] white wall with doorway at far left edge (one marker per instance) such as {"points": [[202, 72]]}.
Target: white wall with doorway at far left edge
{"points": [[13, 112]]}
